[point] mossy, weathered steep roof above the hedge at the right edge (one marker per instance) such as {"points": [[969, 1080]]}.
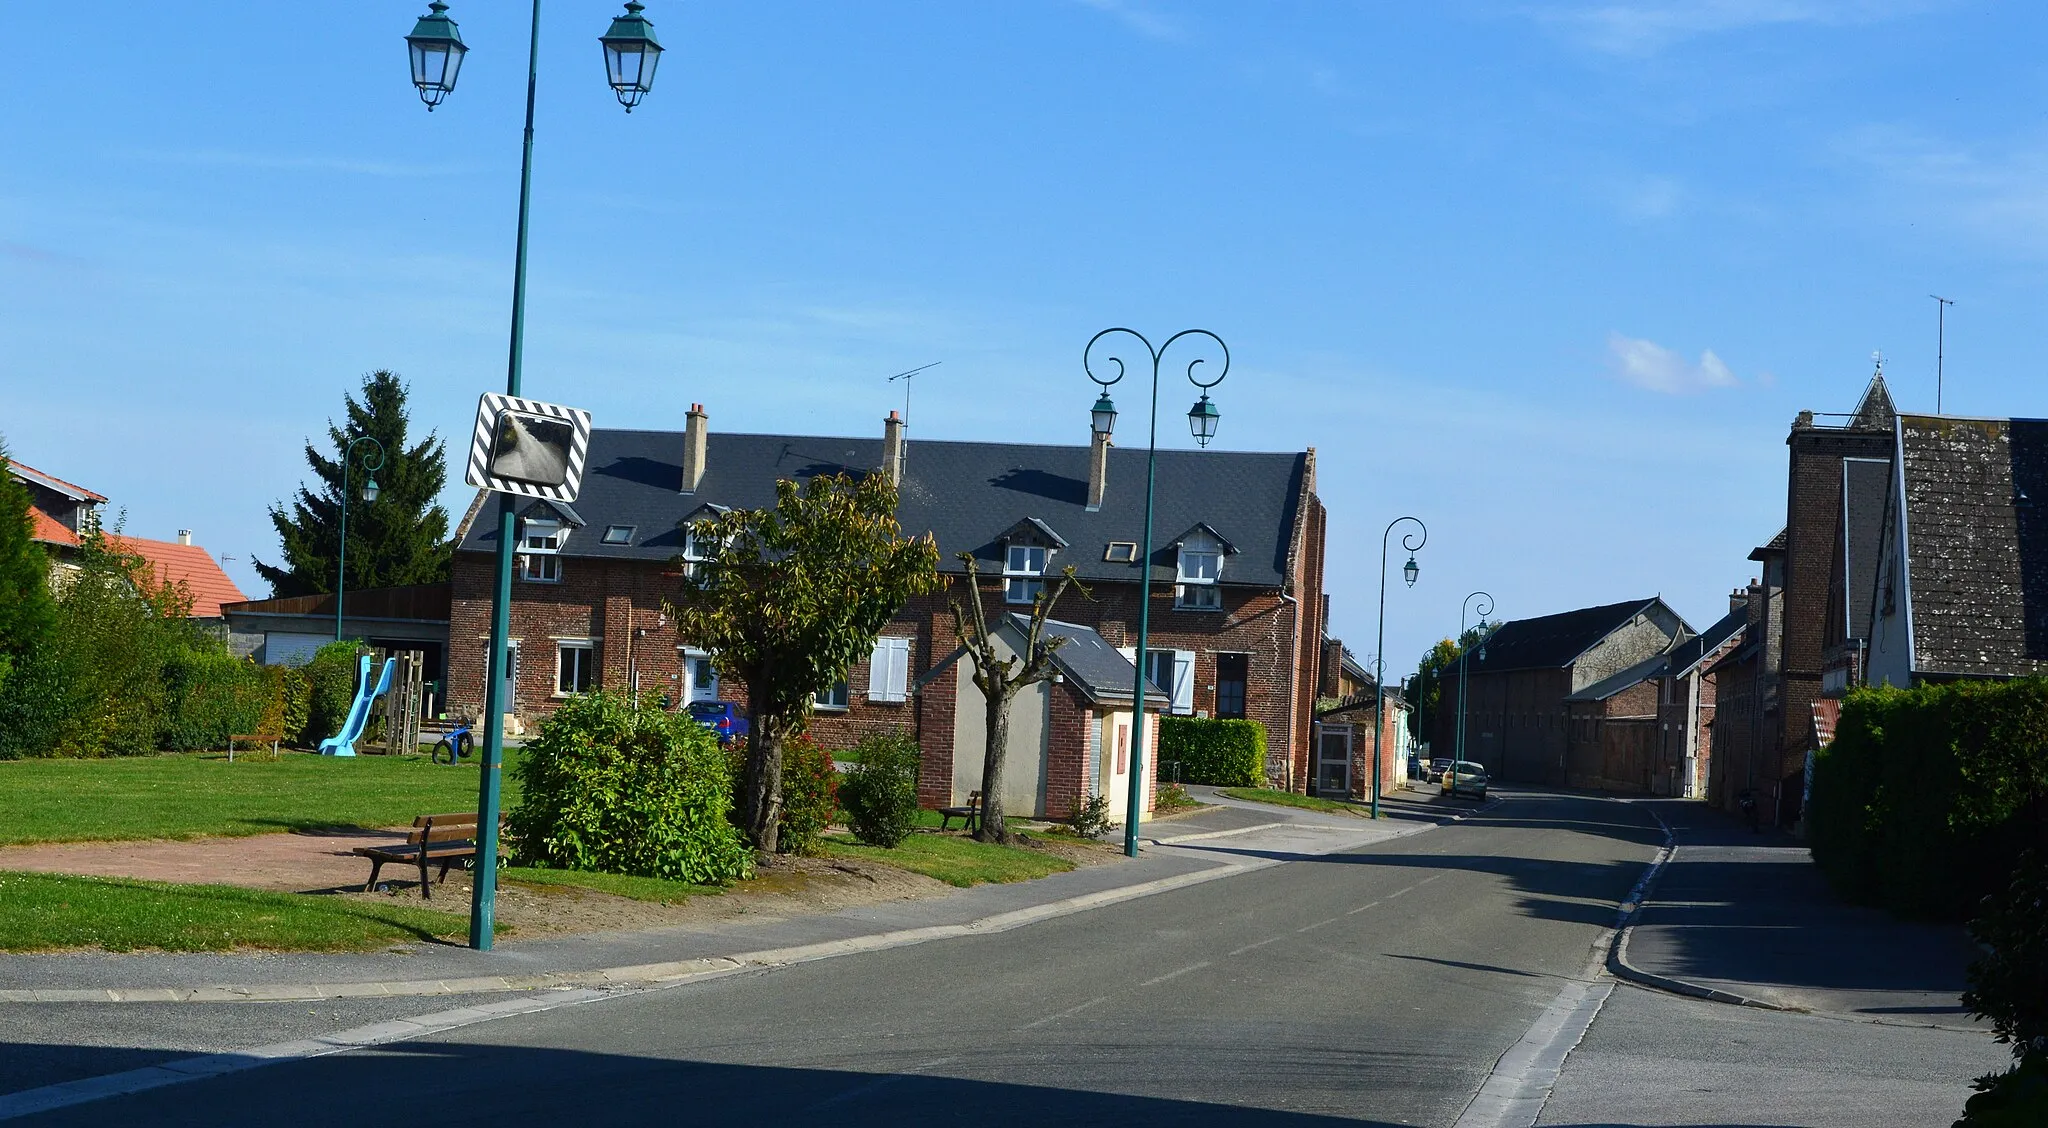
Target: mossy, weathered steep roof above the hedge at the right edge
{"points": [[1977, 541]]}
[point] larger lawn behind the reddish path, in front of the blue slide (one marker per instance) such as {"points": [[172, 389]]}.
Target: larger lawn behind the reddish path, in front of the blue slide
{"points": [[206, 795]]}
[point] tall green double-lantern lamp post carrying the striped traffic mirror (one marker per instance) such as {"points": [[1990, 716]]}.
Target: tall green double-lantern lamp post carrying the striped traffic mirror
{"points": [[437, 56]]}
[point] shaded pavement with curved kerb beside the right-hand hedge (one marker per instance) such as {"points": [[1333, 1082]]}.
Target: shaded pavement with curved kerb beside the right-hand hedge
{"points": [[1750, 918]]}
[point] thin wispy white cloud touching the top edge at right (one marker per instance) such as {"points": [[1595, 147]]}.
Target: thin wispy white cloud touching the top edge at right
{"points": [[1644, 28]]}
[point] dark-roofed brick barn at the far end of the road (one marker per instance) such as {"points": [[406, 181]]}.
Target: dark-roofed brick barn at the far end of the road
{"points": [[1523, 724]]}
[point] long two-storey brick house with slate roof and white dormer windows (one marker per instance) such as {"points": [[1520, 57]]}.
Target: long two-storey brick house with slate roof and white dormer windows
{"points": [[1238, 576]]}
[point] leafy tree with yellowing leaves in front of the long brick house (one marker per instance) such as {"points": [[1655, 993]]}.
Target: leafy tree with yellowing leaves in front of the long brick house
{"points": [[790, 601]]}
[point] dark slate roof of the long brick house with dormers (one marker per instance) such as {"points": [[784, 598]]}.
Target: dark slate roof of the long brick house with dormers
{"points": [[968, 494]]}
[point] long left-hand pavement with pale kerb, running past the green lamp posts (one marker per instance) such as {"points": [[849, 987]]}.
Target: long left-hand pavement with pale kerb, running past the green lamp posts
{"points": [[677, 953]]}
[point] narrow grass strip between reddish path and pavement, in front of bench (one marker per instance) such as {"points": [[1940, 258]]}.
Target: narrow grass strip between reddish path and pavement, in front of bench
{"points": [[40, 912]]}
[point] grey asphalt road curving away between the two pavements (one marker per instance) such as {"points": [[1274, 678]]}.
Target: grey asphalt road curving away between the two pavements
{"points": [[1357, 988]]}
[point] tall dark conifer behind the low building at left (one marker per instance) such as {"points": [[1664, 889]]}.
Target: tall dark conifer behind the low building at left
{"points": [[402, 537]]}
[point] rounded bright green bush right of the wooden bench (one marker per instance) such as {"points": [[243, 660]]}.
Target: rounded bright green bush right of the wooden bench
{"points": [[626, 789]]}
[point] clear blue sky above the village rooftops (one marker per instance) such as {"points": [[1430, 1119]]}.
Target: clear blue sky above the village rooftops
{"points": [[1553, 277]]}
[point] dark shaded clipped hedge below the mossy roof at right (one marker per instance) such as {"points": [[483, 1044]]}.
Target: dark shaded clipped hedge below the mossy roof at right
{"points": [[1926, 797]]}
